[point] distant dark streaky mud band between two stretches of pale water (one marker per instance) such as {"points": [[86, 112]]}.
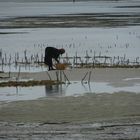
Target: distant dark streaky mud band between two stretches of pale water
{"points": [[73, 20]]}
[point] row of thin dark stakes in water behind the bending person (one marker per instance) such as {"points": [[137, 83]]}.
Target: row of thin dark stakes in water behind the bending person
{"points": [[74, 61]]}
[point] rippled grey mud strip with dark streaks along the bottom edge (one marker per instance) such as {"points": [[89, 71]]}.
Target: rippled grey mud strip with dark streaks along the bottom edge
{"points": [[127, 130]]}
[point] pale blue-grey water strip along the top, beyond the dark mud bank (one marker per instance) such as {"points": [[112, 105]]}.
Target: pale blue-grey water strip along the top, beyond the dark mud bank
{"points": [[17, 9]]}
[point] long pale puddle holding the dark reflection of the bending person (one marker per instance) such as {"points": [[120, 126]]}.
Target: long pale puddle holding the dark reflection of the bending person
{"points": [[74, 89]]}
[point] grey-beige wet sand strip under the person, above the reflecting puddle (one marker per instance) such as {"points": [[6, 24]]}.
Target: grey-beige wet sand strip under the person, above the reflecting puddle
{"points": [[114, 76]]}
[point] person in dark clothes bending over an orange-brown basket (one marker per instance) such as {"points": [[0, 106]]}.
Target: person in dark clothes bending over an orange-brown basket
{"points": [[52, 53]]}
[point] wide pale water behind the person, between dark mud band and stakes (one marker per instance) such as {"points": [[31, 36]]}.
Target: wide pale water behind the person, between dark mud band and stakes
{"points": [[112, 42]]}
